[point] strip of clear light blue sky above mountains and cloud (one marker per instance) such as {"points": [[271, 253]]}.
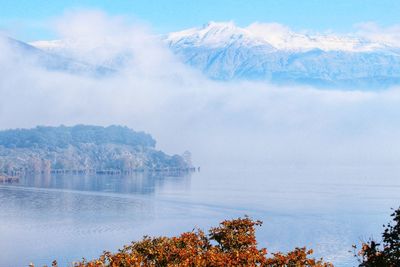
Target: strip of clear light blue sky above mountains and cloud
{"points": [[28, 19]]}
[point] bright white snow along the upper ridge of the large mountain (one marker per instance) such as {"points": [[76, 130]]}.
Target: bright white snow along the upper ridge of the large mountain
{"points": [[276, 36]]}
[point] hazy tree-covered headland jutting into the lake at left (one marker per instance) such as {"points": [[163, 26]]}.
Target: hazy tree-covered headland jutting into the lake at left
{"points": [[82, 148]]}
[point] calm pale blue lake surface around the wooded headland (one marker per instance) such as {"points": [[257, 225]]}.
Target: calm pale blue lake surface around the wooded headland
{"points": [[70, 217]]}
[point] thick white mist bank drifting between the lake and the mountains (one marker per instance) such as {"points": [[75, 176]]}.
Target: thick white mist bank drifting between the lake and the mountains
{"points": [[241, 123]]}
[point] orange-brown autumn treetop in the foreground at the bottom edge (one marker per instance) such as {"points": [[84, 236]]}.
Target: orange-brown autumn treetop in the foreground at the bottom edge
{"points": [[232, 243]]}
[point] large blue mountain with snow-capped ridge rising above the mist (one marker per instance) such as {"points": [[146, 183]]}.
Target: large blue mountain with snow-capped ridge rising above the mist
{"points": [[274, 53]]}
